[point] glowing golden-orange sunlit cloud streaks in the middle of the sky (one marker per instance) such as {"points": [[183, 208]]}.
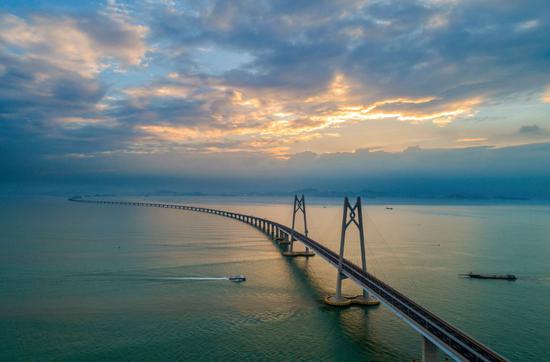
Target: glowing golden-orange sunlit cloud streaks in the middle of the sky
{"points": [[274, 121]]}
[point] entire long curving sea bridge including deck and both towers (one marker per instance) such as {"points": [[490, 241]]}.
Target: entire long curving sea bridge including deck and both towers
{"points": [[437, 333]]}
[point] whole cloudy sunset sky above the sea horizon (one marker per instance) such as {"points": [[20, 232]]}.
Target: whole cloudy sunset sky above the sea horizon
{"points": [[425, 97]]}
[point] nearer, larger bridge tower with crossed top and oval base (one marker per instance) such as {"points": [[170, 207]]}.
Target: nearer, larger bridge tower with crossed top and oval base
{"points": [[351, 215]]}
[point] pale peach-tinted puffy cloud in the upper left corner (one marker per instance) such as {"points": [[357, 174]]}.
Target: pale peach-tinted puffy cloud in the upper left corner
{"points": [[84, 45]]}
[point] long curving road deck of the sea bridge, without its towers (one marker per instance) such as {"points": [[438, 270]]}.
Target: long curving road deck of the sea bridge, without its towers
{"points": [[454, 342]]}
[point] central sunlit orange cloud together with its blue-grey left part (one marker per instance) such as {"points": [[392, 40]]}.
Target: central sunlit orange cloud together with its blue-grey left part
{"points": [[180, 108]]}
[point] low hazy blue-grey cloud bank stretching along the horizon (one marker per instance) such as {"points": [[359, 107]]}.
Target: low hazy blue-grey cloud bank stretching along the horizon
{"points": [[469, 172]]}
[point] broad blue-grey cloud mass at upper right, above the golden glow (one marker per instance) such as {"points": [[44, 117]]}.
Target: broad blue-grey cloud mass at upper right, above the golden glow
{"points": [[389, 49]]}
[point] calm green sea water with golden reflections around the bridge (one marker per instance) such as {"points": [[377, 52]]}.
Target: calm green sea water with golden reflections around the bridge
{"points": [[89, 282]]}
